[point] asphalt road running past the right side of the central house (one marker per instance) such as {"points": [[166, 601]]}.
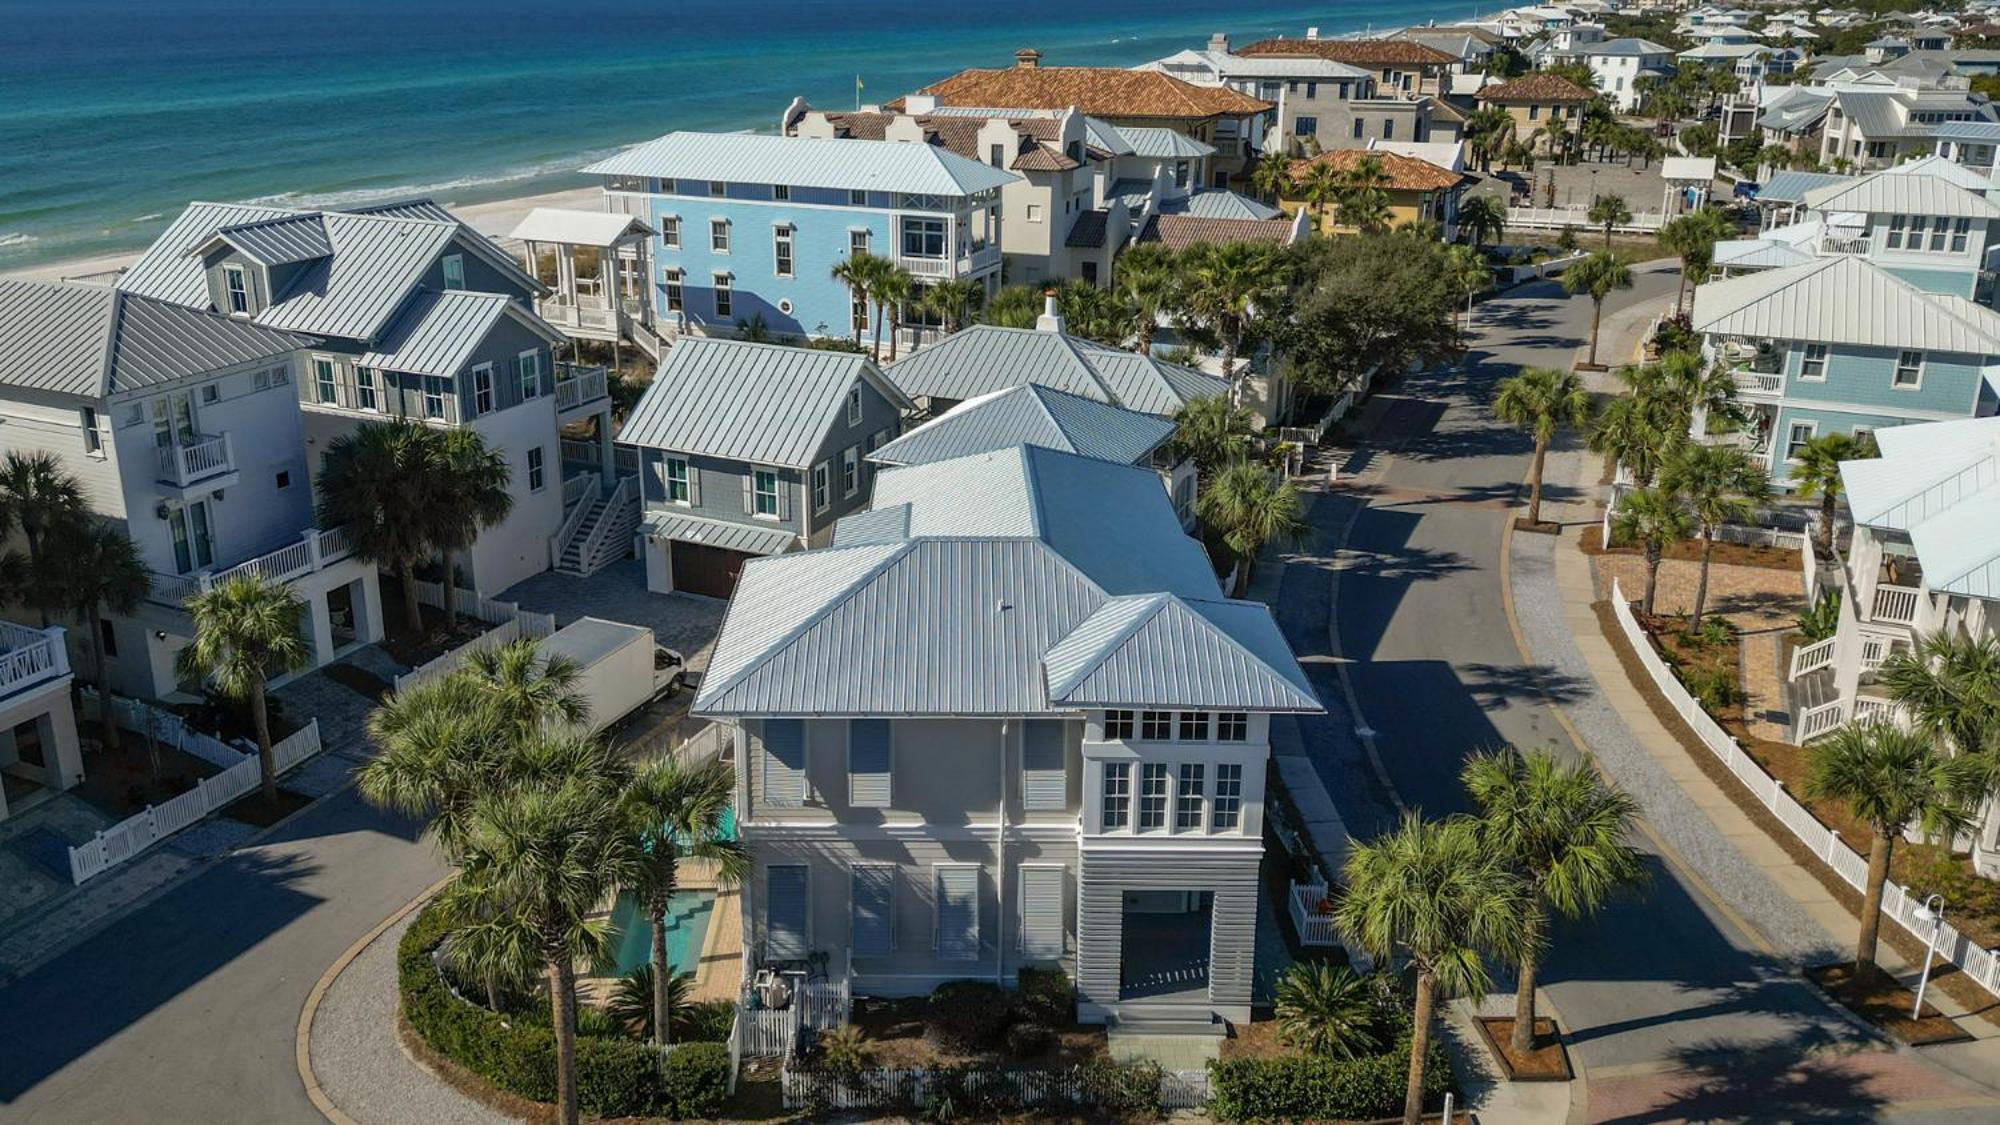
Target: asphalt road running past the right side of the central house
{"points": [[1657, 986]]}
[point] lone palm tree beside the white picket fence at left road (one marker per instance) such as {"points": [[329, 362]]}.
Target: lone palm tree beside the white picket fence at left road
{"points": [[245, 634]]}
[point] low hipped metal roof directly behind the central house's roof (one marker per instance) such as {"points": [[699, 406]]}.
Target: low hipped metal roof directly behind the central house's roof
{"points": [[1031, 415]]}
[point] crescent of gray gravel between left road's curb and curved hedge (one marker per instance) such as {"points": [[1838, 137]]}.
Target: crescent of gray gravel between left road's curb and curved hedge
{"points": [[359, 1062]]}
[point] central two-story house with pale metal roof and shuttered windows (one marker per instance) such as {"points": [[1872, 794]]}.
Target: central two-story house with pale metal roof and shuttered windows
{"points": [[1007, 720]]}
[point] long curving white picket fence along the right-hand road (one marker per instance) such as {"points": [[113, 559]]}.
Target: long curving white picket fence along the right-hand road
{"points": [[1853, 868]]}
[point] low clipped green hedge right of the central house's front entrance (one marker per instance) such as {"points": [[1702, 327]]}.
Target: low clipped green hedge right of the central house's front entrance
{"points": [[1315, 1088]]}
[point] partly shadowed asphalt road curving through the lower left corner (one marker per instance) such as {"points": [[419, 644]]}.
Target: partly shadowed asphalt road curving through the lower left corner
{"points": [[185, 1012]]}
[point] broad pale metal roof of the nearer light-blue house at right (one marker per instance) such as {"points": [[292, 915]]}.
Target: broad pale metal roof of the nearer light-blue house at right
{"points": [[1841, 301]]}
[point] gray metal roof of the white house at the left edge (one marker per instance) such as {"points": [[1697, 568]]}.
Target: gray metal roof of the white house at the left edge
{"points": [[95, 343]]}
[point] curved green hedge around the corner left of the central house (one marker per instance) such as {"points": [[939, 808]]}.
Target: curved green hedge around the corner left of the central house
{"points": [[615, 1078]]}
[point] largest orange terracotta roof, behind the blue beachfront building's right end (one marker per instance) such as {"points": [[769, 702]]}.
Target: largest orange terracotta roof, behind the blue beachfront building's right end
{"points": [[1097, 91]]}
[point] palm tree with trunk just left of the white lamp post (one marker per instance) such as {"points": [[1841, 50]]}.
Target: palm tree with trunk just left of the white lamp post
{"points": [[1891, 780]]}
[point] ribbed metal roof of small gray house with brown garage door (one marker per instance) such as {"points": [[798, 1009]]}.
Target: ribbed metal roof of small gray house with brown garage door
{"points": [[759, 403]]}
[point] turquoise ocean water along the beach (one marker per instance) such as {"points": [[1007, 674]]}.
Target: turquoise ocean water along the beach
{"points": [[117, 113]]}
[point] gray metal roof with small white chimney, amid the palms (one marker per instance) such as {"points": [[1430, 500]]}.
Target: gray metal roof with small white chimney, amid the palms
{"points": [[987, 357]]}
